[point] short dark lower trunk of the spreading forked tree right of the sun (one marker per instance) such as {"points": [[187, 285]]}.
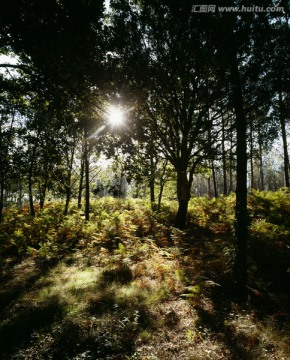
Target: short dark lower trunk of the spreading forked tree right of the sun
{"points": [[183, 196]]}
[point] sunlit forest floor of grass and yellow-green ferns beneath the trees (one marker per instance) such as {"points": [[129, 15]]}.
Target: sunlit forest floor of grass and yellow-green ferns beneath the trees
{"points": [[127, 285]]}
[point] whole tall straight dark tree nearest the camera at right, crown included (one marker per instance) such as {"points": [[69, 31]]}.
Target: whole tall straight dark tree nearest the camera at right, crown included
{"points": [[239, 64]]}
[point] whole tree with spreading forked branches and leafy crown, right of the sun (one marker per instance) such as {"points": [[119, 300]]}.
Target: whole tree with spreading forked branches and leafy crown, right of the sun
{"points": [[163, 59]]}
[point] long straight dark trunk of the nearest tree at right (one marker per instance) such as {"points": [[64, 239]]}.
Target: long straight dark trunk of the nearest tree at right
{"points": [[241, 224]]}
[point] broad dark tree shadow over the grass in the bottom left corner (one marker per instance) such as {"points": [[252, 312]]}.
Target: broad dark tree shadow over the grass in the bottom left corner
{"points": [[107, 329]]}
